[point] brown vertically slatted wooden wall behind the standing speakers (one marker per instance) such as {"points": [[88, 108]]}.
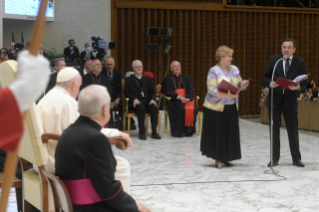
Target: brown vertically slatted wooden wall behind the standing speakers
{"points": [[254, 36]]}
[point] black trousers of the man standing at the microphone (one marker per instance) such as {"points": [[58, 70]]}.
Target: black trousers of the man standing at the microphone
{"points": [[291, 120]]}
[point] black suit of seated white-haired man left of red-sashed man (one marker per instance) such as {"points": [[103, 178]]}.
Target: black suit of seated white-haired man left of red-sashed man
{"points": [[142, 89]]}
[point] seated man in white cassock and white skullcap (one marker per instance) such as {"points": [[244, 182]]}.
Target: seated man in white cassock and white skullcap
{"points": [[59, 109]]}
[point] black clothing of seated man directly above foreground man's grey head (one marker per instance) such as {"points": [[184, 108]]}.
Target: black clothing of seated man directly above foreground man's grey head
{"points": [[92, 79]]}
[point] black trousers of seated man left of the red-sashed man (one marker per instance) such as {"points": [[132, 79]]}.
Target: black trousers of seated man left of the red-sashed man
{"points": [[140, 110]]}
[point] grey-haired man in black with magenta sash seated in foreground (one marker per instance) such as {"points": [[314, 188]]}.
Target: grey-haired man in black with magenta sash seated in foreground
{"points": [[82, 147]]}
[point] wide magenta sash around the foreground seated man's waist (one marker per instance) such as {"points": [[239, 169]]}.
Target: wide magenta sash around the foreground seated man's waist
{"points": [[82, 192]]}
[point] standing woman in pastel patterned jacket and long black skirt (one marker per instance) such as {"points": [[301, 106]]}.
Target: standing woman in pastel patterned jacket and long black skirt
{"points": [[220, 136]]}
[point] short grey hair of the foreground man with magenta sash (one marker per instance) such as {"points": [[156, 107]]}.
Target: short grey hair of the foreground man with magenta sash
{"points": [[92, 100]]}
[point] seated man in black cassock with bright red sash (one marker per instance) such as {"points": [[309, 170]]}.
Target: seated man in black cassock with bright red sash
{"points": [[181, 108]]}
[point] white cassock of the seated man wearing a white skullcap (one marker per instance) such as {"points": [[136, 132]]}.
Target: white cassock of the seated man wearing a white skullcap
{"points": [[57, 111]]}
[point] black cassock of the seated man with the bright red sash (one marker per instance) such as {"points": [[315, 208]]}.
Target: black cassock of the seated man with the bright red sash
{"points": [[175, 108]]}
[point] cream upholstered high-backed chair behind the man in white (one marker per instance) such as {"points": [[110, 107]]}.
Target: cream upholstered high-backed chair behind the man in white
{"points": [[35, 186]]}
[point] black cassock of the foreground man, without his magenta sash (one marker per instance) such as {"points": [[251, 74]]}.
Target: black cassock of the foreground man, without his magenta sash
{"points": [[83, 152]]}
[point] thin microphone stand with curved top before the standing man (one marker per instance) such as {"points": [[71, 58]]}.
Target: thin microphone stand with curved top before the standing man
{"points": [[271, 170]]}
